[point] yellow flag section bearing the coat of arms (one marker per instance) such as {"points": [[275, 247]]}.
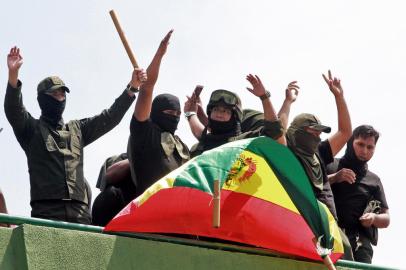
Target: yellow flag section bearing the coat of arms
{"points": [[251, 175]]}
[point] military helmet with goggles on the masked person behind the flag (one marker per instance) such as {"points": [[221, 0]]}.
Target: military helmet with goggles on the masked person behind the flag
{"points": [[225, 98]]}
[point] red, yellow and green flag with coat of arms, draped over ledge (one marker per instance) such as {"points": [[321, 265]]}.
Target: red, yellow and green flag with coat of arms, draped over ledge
{"points": [[266, 201]]}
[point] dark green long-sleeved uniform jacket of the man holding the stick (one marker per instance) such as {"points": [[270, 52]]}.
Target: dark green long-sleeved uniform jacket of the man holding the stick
{"points": [[55, 155]]}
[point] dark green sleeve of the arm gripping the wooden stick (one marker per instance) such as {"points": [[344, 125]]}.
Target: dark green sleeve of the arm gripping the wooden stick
{"points": [[95, 127]]}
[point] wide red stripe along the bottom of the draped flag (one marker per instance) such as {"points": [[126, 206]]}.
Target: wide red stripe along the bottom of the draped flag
{"points": [[244, 219]]}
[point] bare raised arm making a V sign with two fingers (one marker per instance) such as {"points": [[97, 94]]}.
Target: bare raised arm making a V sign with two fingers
{"points": [[340, 138]]}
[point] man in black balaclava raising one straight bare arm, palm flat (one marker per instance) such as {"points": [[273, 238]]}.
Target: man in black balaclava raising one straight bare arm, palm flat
{"points": [[154, 150]]}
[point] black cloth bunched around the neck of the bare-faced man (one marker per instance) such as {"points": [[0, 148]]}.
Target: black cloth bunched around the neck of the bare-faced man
{"points": [[350, 161]]}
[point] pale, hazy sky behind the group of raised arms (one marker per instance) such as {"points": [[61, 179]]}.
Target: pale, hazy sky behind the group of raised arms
{"points": [[216, 44]]}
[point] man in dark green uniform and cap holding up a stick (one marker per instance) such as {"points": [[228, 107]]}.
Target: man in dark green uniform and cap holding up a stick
{"points": [[54, 149]]}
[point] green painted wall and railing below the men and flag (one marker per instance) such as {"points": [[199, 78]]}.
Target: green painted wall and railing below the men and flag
{"points": [[62, 245]]}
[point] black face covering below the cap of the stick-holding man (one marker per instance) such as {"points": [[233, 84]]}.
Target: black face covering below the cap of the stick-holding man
{"points": [[51, 108]]}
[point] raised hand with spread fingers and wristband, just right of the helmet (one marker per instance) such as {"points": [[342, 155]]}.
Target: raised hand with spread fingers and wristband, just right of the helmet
{"points": [[258, 90]]}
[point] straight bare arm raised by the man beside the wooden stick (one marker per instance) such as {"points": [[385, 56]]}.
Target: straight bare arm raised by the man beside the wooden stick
{"points": [[143, 105]]}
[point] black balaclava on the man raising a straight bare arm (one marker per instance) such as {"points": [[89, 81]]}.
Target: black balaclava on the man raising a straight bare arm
{"points": [[165, 121]]}
